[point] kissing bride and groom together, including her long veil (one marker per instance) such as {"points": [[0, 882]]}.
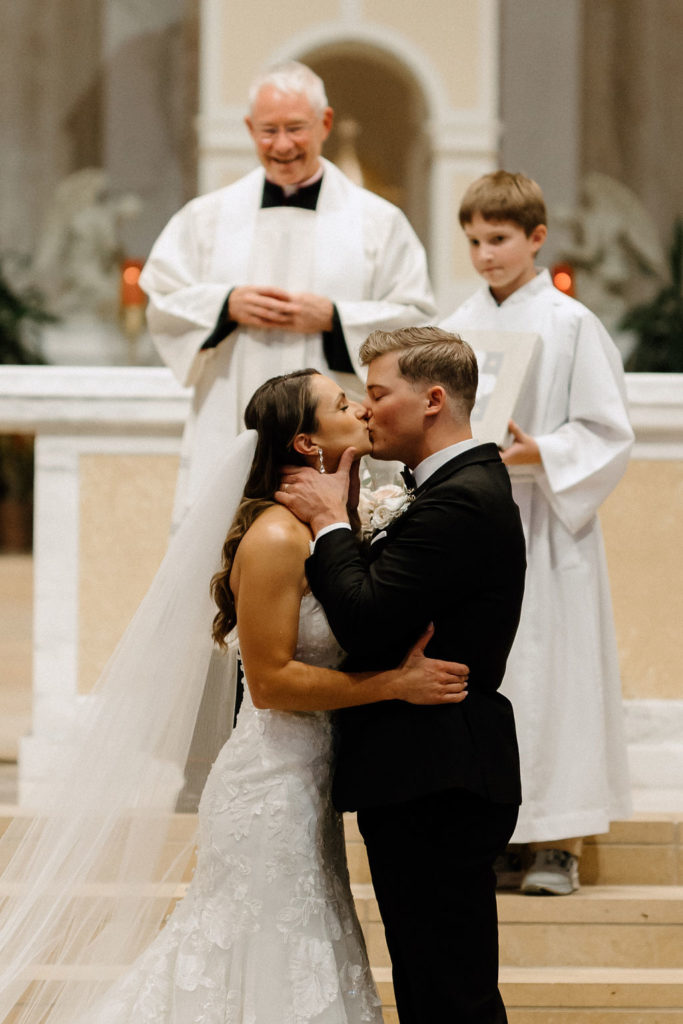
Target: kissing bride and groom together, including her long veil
{"points": [[406, 643]]}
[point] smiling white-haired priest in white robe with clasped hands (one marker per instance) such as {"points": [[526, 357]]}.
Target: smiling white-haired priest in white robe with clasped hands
{"points": [[291, 267]]}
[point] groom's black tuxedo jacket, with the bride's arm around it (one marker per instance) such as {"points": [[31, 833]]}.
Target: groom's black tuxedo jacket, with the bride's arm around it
{"points": [[456, 558]]}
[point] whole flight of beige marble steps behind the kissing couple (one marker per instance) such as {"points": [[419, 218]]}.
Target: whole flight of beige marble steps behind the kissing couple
{"points": [[609, 955]]}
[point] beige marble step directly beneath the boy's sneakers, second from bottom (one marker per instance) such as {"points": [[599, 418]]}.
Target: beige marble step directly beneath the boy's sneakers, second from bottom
{"points": [[613, 927]]}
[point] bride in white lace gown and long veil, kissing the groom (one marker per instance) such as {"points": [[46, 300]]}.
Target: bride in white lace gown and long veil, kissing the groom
{"points": [[267, 932]]}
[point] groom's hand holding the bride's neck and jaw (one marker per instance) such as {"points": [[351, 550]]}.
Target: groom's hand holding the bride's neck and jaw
{"points": [[319, 499]]}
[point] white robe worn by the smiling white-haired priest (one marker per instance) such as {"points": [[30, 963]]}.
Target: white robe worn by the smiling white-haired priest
{"points": [[357, 249]]}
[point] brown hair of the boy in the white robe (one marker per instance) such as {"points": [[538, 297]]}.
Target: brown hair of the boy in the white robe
{"points": [[504, 196]]}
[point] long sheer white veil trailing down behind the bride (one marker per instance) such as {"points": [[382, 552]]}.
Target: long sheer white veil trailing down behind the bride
{"points": [[87, 885]]}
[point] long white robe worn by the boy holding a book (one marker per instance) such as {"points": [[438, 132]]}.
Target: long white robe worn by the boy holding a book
{"points": [[563, 675]]}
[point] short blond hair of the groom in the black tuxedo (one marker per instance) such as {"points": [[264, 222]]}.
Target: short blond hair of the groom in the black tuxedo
{"points": [[430, 356]]}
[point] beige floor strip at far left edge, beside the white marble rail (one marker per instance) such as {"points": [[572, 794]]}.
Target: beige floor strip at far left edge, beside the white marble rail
{"points": [[16, 654]]}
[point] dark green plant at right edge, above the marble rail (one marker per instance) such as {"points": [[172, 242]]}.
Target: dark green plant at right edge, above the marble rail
{"points": [[659, 324]]}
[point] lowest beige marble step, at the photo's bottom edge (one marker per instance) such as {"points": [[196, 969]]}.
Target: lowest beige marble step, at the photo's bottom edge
{"points": [[578, 996]]}
